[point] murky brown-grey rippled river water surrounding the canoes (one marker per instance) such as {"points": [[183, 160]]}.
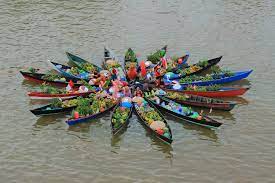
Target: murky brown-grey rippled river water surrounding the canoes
{"points": [[46, 150]]}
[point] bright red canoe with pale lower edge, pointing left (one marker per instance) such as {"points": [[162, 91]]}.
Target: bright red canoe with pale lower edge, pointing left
{"points": [[46, 96]]}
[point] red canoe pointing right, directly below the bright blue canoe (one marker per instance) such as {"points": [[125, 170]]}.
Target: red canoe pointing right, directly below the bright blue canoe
{"points": [[223, 92]]}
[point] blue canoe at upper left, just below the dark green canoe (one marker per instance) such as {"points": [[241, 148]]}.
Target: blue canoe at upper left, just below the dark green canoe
{"points": [[62, 70]]}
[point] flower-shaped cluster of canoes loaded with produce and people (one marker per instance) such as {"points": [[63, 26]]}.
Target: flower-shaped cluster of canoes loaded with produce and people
{"points": [[146, 86]]}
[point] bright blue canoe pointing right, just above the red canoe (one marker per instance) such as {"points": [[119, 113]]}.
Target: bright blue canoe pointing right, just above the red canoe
{"points": [[237, 76]]}
